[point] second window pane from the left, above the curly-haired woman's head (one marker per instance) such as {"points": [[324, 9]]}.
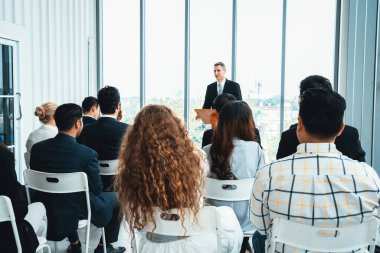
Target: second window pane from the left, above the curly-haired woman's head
{"points": [[165, 24]]}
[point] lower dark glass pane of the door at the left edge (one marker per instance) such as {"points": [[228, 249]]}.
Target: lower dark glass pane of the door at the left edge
{"points": [[6, 121]]}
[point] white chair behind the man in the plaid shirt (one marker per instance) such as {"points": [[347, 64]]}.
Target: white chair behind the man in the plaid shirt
{"points": [[318, 239]]}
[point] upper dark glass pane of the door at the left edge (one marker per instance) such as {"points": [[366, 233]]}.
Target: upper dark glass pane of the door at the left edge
{"points": [[6, 70]]}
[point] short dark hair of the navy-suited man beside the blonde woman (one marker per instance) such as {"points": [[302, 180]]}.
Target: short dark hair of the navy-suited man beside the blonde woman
{"points": [[66, 115]]}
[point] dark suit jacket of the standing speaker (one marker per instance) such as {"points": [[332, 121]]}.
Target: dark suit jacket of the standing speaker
{"points": [[212, 92]]}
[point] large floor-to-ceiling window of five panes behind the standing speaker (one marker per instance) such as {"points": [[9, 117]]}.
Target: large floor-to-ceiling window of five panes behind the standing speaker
{"points": [[309, 49]]}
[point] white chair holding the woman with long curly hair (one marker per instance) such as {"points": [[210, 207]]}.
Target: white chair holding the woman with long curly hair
{"points": [[208, 221]]}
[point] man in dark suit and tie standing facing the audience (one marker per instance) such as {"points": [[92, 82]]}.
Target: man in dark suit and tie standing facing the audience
{"points": [[222, 85]]}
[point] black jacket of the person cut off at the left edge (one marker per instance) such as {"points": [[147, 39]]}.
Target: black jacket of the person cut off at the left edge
{"points": [[10, 187]]}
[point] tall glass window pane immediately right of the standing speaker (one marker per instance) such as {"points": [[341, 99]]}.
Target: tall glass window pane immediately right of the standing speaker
{"points": [[259, 28]]}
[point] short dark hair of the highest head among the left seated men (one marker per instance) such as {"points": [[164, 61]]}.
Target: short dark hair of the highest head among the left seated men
{"points": [[108, 98]]}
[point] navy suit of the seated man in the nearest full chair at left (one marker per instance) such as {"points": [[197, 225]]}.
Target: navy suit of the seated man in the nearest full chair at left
{"points": [[62, 154]]}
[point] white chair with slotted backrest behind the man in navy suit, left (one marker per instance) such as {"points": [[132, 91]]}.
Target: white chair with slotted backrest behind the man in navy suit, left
{"points": [[62, 183]]}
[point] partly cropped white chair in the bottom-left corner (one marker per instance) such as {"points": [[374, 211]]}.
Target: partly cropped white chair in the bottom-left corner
{"points": [[7, 214]]}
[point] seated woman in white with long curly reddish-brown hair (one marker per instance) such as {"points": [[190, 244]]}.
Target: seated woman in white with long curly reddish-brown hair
{"points": [[160, 166]]}
